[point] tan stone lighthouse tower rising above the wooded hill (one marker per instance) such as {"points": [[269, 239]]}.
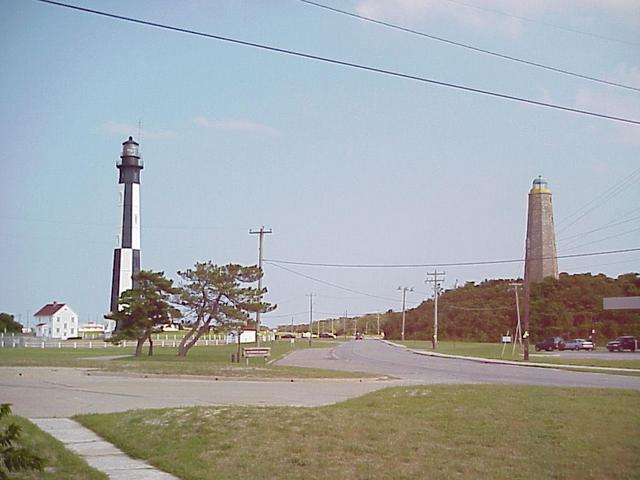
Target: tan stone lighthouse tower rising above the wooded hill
{"points": [[541, 257]]}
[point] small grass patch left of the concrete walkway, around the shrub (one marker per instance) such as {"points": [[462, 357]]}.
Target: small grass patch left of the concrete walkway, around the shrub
{"points": [[60, 463]]}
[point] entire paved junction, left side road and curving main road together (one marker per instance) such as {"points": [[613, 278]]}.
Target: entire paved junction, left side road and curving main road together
{"points": [[62, 392]]}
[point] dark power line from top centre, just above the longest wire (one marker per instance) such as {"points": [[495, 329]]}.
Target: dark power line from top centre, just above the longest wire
{"points": [[469, 47]]}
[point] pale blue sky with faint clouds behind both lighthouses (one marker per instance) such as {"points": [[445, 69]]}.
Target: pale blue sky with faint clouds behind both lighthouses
{"points": [[345, 166]]}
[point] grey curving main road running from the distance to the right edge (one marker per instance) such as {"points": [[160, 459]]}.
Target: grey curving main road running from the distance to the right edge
{"points": [[374, 356]]}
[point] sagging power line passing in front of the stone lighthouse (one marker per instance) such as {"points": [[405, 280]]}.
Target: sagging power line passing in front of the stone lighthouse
{"points": [[277, 262]]}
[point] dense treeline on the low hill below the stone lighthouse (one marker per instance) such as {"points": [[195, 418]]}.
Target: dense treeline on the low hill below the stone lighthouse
{"points": [[570, 306]]}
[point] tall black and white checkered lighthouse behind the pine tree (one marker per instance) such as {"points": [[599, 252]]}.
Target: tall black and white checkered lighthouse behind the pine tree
{"points": [[126, 258]]}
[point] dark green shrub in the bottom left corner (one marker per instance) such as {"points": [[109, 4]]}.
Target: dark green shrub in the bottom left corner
{"points": [[13, 457]]}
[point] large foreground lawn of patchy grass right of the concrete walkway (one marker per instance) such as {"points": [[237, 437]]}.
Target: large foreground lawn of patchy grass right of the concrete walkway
{"points": [[434, 432]]}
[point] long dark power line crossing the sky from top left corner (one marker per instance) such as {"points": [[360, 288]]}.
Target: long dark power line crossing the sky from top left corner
{"points": [[357, 66]]}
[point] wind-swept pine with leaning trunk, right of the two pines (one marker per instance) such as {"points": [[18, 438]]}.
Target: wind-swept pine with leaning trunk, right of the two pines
{"points": [[214, 296]]}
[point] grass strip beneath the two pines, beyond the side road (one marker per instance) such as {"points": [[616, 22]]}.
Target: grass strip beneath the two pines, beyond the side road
{"points": [[210, 361]]}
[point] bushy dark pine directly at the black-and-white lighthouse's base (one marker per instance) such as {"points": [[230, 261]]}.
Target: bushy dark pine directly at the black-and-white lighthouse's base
{"points": [[144, 309]]}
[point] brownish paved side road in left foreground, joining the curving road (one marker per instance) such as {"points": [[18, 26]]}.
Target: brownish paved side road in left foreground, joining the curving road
{"points": [[63, 392]]}
